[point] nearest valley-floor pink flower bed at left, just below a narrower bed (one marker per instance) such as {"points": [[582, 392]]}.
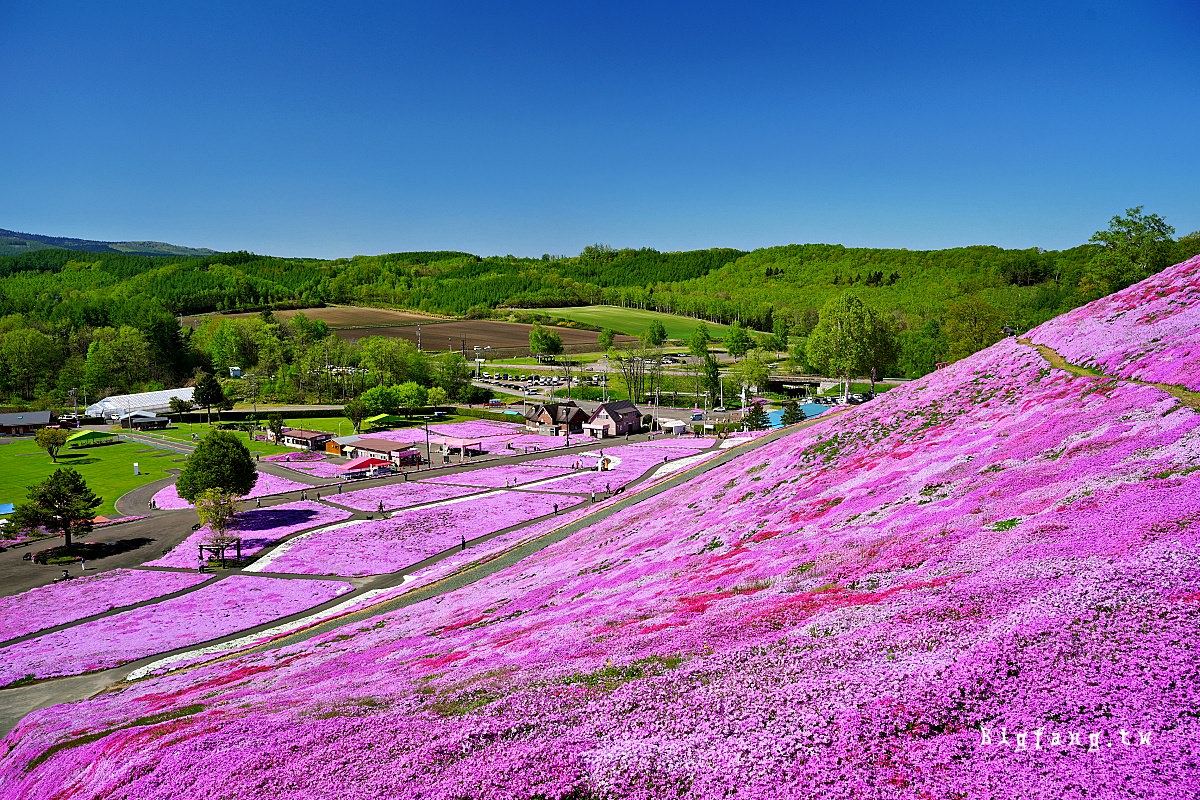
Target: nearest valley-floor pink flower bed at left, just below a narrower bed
{"points": [[225, 607]]}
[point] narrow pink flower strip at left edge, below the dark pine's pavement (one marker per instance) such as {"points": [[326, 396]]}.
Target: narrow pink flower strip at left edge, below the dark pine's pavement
{"points": [[58, 604]]}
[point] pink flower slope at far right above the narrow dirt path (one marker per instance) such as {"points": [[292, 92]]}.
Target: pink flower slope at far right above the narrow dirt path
{"points": [[1149, 332]]}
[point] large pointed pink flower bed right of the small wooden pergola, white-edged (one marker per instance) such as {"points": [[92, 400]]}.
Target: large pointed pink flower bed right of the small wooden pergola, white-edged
{"points": [[381, 546]]}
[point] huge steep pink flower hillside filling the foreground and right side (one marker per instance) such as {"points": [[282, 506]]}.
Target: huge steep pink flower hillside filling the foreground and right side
{"points": [[985, 585]]}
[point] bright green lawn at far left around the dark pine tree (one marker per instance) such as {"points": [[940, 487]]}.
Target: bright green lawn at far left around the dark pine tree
{"points": [[109, 470]]}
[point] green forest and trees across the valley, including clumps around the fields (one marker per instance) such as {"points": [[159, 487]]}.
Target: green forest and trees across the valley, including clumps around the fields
{"points": [[107, 323]]}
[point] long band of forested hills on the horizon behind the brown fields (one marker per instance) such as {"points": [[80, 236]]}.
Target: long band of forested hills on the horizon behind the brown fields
{"points": [[794, 281]]}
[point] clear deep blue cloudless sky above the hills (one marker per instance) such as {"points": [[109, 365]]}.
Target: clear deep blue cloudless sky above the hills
{"points": [[305, 129]]}
